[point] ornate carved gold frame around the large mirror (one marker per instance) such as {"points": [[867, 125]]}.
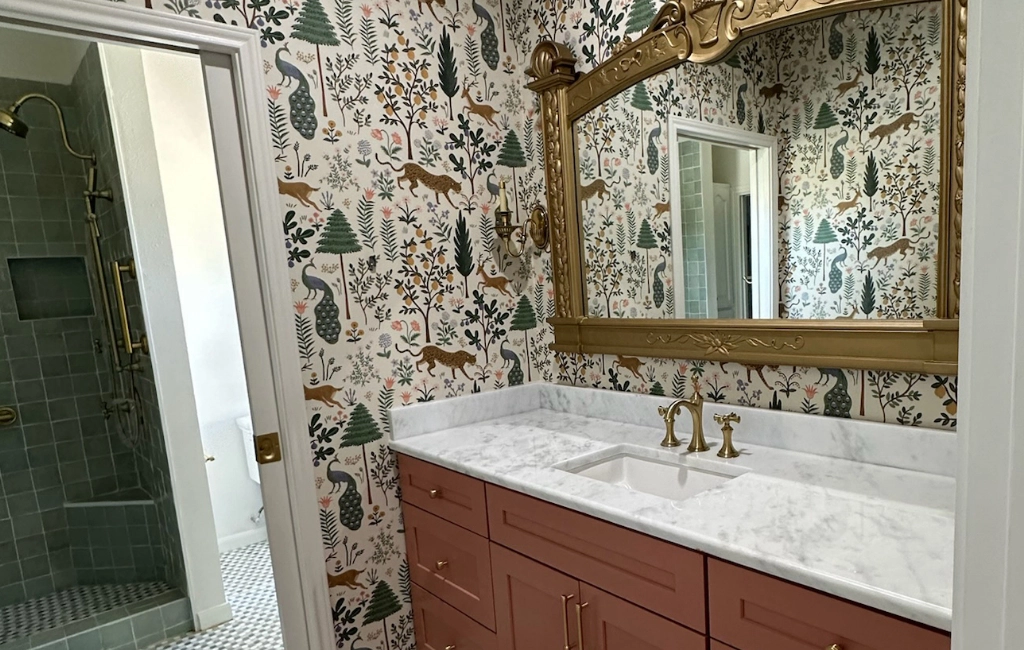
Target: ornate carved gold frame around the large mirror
{"points": [[705, 31]]}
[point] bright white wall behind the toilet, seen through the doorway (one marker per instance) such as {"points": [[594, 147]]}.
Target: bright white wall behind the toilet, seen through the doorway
{"points": [[192, 196]]}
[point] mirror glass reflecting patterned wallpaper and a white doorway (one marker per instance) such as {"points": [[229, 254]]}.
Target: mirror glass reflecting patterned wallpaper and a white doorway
{"points": [[840, 220]]}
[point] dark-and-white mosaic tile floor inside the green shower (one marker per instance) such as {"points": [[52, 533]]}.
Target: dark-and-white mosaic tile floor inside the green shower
{"points": [[70, 605]]}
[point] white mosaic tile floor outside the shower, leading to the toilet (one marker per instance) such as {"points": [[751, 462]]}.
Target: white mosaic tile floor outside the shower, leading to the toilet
{"points": [[250, 591]]}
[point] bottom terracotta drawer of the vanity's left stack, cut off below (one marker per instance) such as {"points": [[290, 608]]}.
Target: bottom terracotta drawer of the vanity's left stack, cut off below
{"points": [[439, 626]]}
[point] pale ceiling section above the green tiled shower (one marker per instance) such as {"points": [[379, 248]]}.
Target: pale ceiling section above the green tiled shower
{"points": [[35, 57]]}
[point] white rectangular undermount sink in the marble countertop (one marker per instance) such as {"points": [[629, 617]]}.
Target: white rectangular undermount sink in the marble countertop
{"points": [[668, 481]]}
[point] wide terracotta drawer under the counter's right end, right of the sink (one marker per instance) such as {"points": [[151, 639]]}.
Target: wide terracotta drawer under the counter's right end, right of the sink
{"points": [[753, 612]]}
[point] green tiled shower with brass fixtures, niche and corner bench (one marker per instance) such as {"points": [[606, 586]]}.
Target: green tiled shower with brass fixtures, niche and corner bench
{"points": [[88, 525]]}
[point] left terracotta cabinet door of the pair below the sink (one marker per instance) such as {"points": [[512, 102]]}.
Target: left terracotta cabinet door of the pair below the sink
{"points": [[531, 613]]}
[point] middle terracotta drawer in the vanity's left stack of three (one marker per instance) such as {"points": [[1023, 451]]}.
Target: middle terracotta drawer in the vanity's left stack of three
{"points": [[452, 564]]}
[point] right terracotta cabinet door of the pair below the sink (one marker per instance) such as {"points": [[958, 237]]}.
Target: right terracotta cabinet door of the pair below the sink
{"points": [[612, 624]]}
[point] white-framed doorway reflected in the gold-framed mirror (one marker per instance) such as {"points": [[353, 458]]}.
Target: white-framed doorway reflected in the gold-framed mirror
{"points": [[724, 211]]}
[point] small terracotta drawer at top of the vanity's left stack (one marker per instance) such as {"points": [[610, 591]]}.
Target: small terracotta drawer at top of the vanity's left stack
{"points": [[449, 495]]}
